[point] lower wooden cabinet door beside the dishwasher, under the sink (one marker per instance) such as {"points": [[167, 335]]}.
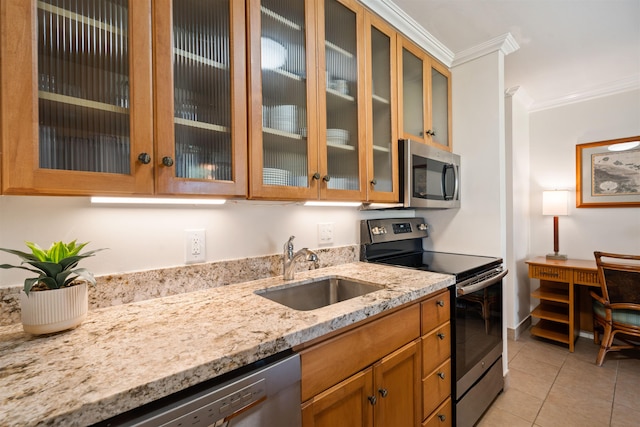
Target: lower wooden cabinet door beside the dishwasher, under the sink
{"points": [[348, 404]]}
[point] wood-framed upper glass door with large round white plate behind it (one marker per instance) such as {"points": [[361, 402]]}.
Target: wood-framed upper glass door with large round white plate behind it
{"points": [[282, 92]]}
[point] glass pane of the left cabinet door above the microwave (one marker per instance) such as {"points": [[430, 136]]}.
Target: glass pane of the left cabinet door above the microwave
{"points": [[412, 101]]}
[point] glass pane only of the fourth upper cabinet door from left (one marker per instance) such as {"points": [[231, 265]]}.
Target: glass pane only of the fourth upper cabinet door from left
{"points": [[342, 89]]}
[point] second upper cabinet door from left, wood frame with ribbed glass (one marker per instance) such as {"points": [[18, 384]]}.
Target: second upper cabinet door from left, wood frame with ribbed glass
{"points": [[200, 94]]}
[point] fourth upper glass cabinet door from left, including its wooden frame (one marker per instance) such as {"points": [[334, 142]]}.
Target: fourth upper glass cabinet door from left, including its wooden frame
{"points": [[341, 103]]}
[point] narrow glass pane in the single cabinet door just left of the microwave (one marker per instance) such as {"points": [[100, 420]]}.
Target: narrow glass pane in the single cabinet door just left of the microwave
{"points": [[381, 93]]}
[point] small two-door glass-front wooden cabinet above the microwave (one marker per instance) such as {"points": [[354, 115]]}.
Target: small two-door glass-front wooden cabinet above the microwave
{"points": [[424, 109]]}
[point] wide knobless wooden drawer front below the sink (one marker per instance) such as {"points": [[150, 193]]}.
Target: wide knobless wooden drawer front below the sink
{"points": [[336, 359]]}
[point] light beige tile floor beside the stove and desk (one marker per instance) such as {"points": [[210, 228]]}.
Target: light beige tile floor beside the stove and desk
{"points": [[547, 387]]}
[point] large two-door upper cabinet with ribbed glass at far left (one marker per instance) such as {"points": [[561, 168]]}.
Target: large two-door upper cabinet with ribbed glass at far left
{"points": [[84, 111]]}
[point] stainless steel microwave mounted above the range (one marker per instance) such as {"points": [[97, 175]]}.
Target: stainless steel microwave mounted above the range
{"points": [[429, 176]]}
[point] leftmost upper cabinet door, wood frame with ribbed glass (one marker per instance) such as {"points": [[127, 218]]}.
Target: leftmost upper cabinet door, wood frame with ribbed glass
{"points": [[76, 110]]}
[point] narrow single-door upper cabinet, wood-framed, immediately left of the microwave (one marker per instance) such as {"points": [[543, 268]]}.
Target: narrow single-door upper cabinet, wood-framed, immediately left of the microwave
{"points": [[382, 134]]}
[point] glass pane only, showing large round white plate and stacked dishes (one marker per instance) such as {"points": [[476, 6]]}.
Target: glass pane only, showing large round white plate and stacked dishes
{"points": [[284, 96]]}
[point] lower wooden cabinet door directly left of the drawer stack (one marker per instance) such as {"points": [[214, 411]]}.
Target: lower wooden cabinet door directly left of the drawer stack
{"points": [[397, 388]]}
